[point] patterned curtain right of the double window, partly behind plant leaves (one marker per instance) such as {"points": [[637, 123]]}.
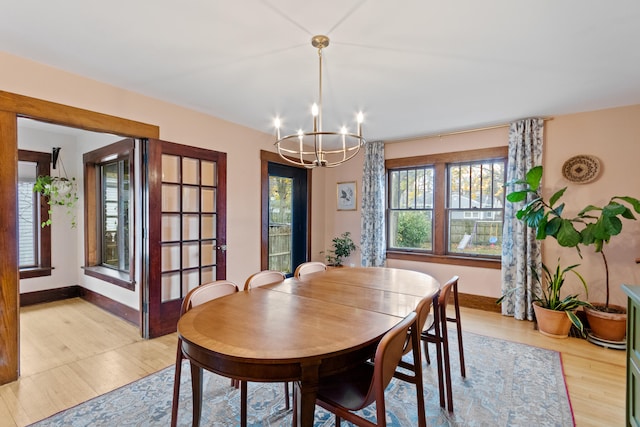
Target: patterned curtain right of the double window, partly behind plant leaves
{"points": [[520, 249]]}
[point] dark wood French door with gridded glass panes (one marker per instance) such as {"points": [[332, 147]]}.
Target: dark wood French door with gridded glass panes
{"points": [[185, 231]]}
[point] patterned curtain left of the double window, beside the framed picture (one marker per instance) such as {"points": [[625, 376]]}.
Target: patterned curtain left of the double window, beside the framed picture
{"points": [[373, 244]]}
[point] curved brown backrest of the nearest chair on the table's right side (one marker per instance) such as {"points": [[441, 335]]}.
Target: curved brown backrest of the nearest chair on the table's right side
{"points": [[386, 360]]}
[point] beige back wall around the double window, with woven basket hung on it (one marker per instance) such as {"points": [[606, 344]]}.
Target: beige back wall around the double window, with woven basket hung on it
{"points": [[612, 135]]}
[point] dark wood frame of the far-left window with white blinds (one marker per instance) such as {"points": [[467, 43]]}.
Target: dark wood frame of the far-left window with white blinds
{"points": [[43, 167]]}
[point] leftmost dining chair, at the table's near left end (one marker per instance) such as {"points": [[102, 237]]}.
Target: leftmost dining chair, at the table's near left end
{"points": [[203, 293]]}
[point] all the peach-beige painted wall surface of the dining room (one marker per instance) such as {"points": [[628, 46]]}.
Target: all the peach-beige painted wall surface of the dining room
{"points": [[612, 135]]}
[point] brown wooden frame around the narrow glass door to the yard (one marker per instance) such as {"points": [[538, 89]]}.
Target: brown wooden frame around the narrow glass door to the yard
{"points": [[267, 157]]}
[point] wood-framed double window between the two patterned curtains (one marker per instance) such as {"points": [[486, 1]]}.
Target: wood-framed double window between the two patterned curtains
{"points": [[447, 207]]}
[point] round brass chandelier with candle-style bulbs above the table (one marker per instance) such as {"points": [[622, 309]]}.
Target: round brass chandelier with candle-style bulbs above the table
{"points": [[318, 147]]}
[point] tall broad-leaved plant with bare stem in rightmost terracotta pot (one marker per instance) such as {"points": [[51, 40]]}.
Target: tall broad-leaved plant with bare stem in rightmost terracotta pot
{"points": [[593, 226]]}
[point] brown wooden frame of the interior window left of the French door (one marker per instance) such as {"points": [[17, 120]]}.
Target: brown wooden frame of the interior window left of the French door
{"points": [[93, 161]]}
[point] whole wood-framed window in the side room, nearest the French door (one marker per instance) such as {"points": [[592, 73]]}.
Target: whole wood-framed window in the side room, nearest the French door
{"points": [[108, 207]]}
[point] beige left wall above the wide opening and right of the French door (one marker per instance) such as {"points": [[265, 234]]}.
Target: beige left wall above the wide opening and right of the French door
{"points": [[176, 124]]}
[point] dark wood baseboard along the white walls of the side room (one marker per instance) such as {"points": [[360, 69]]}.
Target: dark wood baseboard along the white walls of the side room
{"points": [[125, 312]]}
